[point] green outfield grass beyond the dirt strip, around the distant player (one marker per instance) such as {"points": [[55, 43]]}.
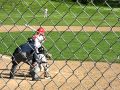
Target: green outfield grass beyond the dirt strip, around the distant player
{"points": [[60, 13]]}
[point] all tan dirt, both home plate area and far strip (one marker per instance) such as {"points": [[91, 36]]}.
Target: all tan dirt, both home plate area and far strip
{"points": [[64, 75]]}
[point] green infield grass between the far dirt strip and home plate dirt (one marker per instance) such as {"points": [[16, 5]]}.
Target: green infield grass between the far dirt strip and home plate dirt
{"points": [[95, 46]]}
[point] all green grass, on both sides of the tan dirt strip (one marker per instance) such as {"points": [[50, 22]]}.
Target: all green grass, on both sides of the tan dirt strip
{"points": [[63, 45]]}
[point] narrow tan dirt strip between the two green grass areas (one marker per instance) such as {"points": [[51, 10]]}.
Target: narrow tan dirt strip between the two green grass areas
{"points": [[12, 28]]}
